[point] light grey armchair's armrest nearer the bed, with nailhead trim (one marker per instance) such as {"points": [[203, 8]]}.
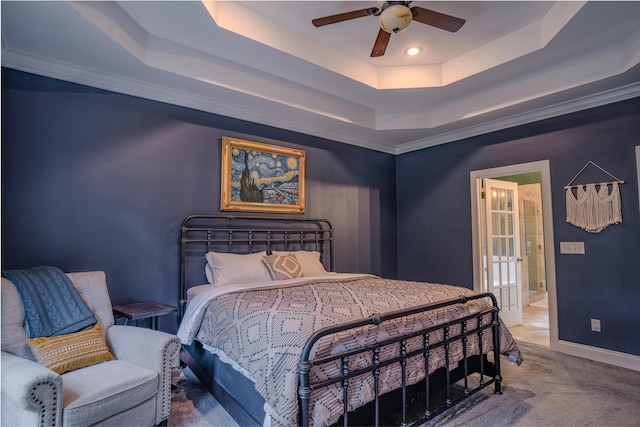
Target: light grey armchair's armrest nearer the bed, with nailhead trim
{"points": [[151, 349]]}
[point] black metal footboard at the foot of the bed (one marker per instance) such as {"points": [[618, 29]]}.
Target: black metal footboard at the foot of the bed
{"points": [[460, 329]]}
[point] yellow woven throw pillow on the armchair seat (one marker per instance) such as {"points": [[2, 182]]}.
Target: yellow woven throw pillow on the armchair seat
{"points": [[64, 353]]}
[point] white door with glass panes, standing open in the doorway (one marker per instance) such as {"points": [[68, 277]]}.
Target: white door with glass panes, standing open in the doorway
{"points": [[502, 241]]}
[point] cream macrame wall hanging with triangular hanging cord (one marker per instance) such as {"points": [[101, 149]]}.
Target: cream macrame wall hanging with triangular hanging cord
{"points": [[594, 207]]}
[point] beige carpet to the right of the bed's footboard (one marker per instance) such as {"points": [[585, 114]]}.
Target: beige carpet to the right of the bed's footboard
{"points": [[551, 389]]}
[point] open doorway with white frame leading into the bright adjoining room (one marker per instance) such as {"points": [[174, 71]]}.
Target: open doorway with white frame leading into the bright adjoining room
{"points": [[532, 250]]}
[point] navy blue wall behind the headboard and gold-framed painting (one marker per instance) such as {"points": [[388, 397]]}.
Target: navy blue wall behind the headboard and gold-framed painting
{"points": [[93, 180]]}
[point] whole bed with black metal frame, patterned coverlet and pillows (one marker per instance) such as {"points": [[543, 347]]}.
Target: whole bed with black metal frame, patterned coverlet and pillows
{"points": [[280, 339]]}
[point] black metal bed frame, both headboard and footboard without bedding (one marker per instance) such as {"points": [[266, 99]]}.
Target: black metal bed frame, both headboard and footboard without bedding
{"points": [[247, 234]]}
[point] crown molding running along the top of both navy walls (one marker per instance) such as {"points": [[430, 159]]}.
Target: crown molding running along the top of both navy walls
{"points": [[261, 114]]}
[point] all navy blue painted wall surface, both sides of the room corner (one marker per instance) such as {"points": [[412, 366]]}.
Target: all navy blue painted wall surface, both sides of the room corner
{"points": [[97, 180]]}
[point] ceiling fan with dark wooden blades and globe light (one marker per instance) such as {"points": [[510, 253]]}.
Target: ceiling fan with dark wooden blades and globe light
{"points": [[395, 16]]}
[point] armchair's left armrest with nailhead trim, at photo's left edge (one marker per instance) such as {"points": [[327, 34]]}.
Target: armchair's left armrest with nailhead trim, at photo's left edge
{"points": [[30, 392]]}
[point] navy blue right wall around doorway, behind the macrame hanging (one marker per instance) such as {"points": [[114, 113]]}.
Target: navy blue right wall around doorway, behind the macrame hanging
{"points": [[434, 216]]}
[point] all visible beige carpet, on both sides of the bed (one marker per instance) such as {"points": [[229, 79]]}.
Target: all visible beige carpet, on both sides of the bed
{"points": [[548, 389]]}
